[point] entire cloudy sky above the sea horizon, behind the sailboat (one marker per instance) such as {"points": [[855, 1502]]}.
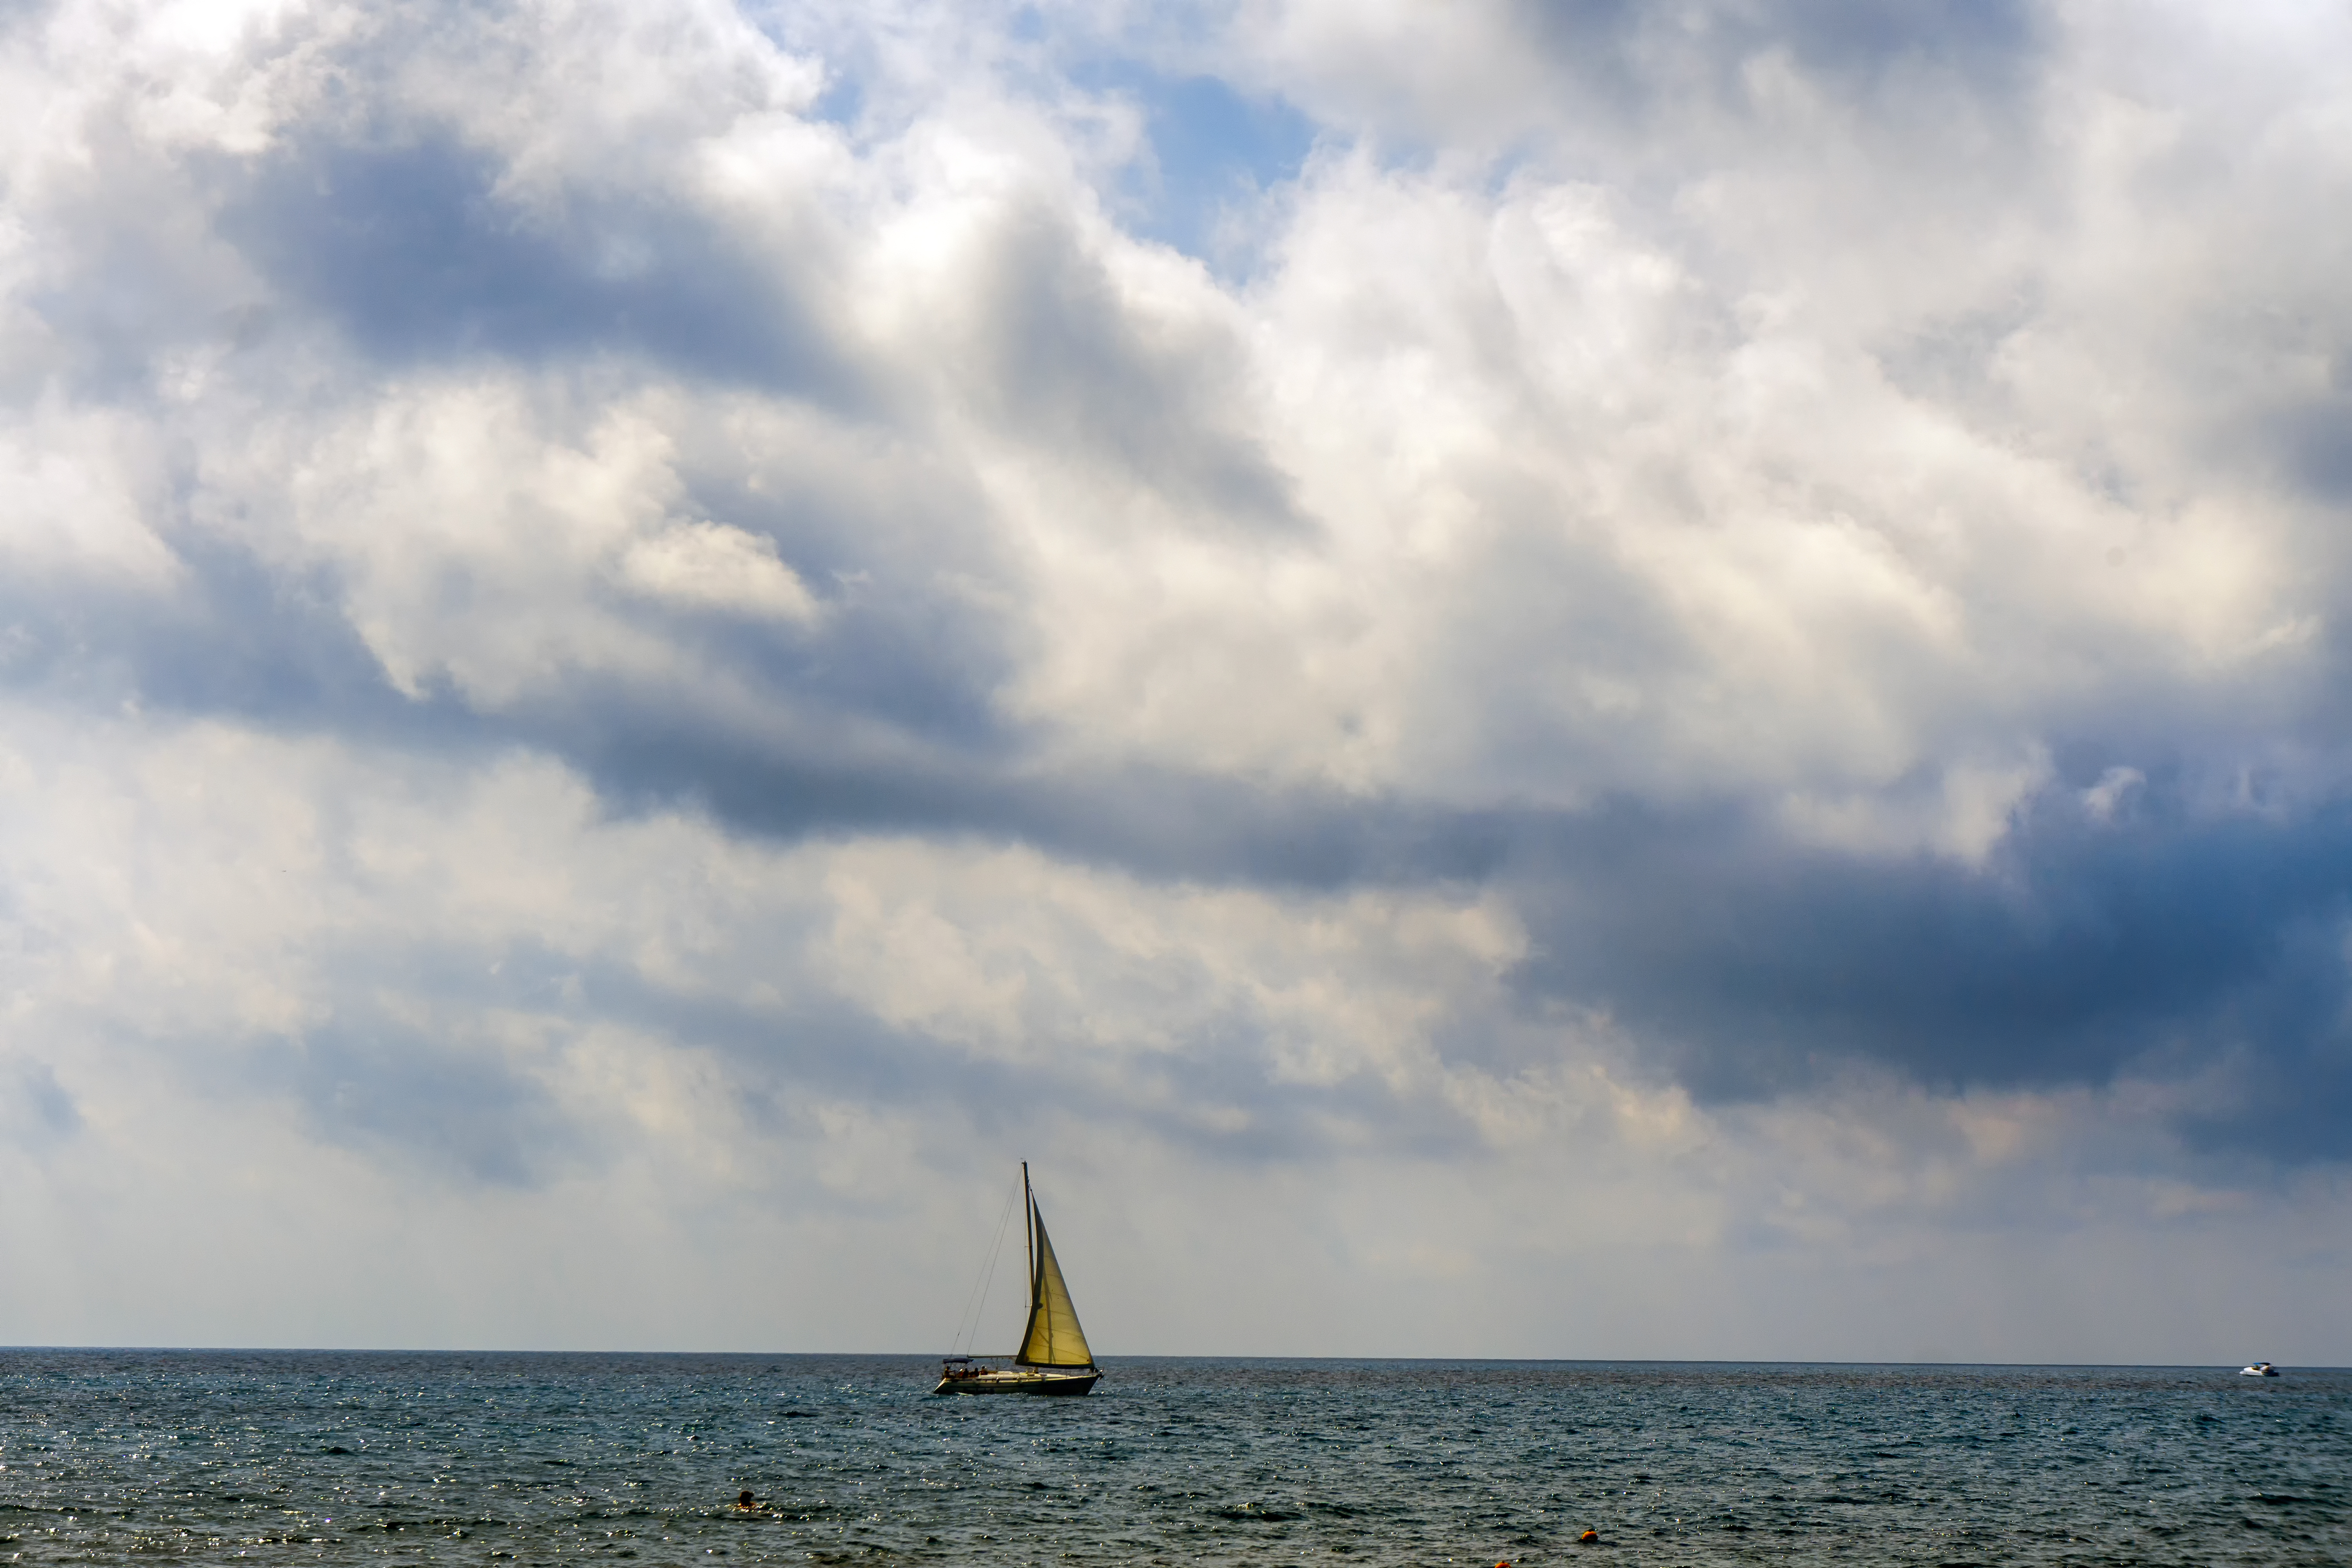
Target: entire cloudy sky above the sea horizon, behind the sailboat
{"points": [[1504, 681]]}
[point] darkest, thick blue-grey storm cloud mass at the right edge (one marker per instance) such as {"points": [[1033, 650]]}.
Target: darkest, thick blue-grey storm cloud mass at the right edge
{"points": [[2167, 942]]}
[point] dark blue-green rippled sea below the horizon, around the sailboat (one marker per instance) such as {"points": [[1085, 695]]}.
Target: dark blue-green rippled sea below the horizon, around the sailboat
{"points": [[554, 1459]]}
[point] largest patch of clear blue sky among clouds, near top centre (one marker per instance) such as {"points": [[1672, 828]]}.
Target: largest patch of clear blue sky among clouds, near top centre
{"points": [[1212, 159]]}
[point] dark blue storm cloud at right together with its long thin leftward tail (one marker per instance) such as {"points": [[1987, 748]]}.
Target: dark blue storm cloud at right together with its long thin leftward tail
{"points": [[2167, 942]]}
